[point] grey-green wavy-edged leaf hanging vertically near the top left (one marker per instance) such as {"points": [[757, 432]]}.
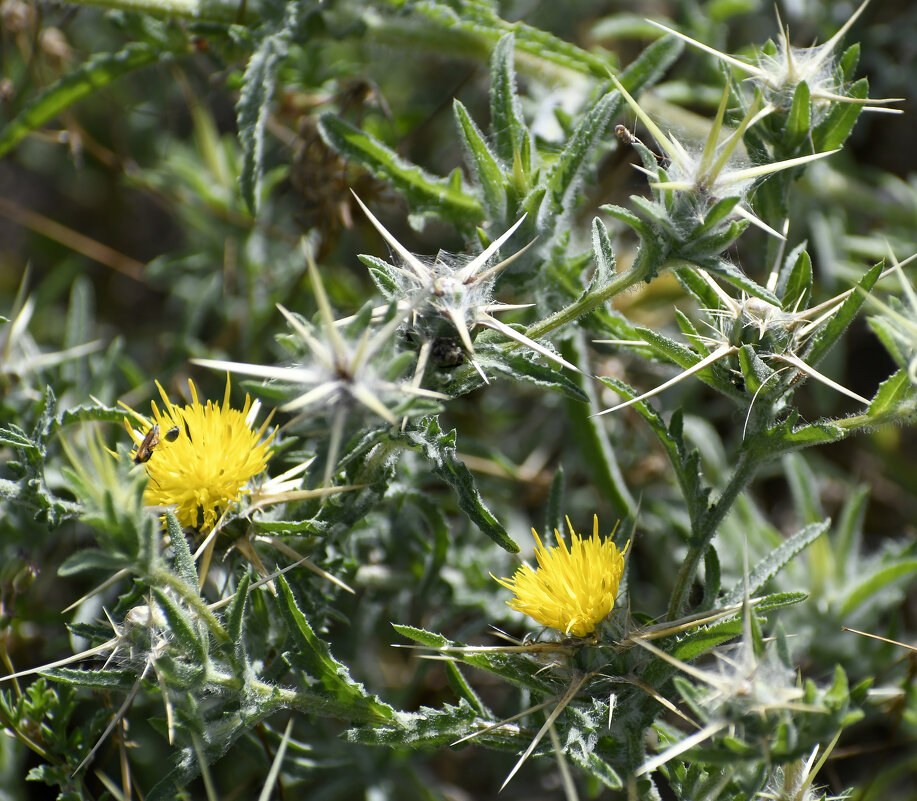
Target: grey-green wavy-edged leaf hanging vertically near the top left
{"points": [[253, 111]]}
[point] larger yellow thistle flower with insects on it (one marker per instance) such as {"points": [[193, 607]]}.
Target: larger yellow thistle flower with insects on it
{"points": [[203, 458]]}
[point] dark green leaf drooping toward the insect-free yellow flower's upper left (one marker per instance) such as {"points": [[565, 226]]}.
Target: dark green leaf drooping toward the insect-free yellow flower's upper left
{"points": [[439, 449]]}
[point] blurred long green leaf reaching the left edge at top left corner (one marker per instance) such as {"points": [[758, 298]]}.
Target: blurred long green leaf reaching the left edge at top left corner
{"points": [[96, 73]]}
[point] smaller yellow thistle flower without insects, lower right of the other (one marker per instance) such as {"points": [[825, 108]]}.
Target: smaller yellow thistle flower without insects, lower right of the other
{"points": [[573, 588]]}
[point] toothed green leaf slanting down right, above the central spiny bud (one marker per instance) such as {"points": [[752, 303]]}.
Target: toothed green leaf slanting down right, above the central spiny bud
{"points": [[425, 193]]}
